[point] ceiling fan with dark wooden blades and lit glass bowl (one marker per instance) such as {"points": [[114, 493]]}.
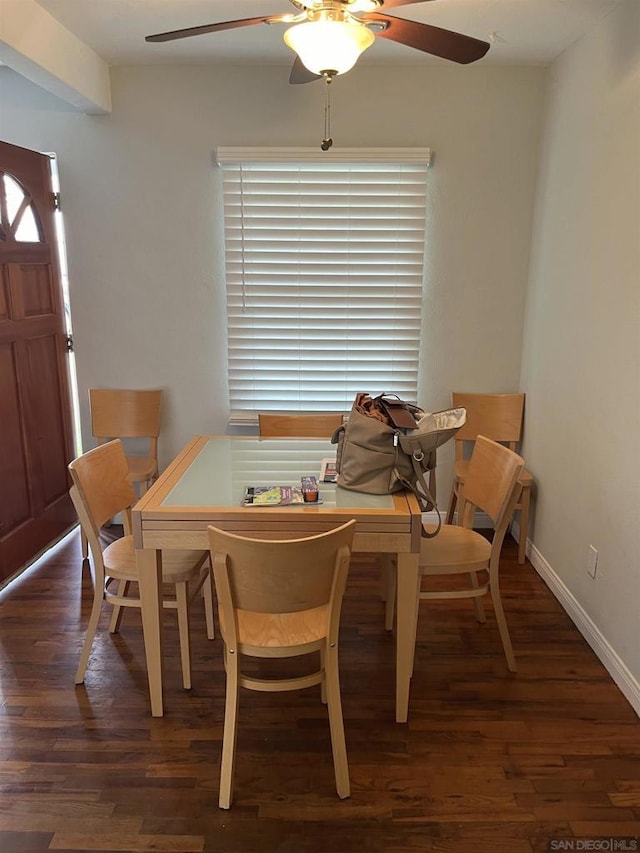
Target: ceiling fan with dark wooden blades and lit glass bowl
{"points": [[328, 36]]}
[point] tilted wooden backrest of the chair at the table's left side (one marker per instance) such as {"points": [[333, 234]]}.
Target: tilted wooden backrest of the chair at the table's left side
{"points": [[102, 484]]}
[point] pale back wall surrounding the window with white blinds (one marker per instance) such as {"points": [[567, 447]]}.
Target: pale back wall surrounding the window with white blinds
{"points": [[138, 196]]}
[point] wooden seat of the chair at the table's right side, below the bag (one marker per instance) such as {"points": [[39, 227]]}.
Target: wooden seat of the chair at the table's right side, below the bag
{"points": [[455, 550]]}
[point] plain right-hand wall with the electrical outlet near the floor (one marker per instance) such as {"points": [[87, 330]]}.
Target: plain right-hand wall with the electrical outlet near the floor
{"points": [[581, 362]]}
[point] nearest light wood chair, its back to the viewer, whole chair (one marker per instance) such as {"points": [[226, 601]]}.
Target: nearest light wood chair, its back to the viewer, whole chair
{"points": [[280, 599]]}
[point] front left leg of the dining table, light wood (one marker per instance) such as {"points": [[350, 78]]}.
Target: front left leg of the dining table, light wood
{"points": [[150, 582]]}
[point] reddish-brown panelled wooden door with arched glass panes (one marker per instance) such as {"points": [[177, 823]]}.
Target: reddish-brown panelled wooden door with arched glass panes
{"points": [[35, 409]]}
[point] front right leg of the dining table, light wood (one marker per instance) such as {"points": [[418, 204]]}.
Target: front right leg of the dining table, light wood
{"points": [[407, 602]]}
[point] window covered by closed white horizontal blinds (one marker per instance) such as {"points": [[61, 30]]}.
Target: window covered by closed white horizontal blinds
{"points": [[324, 275]]}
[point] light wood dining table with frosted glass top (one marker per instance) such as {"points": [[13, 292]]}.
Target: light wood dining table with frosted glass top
{"points": [[205, 485]]}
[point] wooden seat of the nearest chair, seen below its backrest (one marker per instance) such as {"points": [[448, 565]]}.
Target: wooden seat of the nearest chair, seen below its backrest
{"points": [[279, 630]]}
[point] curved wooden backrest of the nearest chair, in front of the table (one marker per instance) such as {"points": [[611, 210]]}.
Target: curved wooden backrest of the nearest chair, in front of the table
{"points": [[271, 576]]}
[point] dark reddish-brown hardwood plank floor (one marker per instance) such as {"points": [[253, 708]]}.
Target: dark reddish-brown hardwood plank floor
{"points": [[489, 761]]}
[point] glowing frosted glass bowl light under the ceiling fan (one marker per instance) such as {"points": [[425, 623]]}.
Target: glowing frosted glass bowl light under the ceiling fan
{"points": [[328, 46]]}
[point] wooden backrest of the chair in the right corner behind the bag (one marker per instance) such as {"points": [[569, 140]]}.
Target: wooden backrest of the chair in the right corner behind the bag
{"points": [[496, 416]]}
